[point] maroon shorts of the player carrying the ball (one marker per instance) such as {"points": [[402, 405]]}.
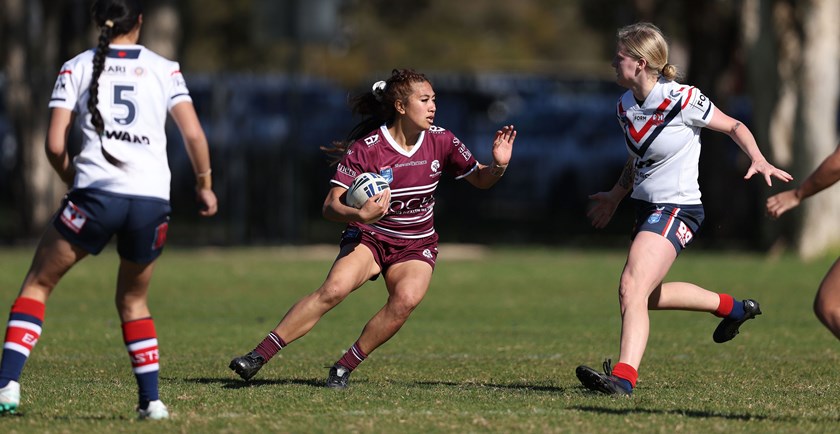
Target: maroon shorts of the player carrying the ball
{"points": [[388, 251]]}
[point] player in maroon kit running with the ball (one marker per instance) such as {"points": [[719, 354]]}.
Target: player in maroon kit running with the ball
{"points": [[393, 232]]}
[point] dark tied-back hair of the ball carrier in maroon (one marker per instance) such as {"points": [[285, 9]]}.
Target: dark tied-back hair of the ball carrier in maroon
{"points": [[377, 106]]}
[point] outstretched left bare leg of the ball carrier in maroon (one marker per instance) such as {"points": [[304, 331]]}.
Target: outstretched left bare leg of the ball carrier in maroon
{"points": [[353, 267]]}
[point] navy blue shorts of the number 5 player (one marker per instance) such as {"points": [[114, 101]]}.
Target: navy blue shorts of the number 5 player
{"points": [[89, 218]]}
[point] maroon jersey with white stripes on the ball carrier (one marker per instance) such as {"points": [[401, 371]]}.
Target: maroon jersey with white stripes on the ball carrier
{"points": [[413, 176]]}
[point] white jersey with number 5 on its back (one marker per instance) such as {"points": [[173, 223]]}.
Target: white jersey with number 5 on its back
{"points": [[137, 89]]}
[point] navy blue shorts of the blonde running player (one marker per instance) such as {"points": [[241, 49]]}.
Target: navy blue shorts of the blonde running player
{"points": [[678, 223]]}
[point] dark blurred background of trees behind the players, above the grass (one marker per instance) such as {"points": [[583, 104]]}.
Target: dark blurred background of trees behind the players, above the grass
{"points": [[270, 80]]}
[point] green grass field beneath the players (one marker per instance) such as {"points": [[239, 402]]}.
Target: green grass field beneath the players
{"points": [[493, 348]]}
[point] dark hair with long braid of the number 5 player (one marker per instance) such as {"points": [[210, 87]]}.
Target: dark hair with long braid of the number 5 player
{"points": [[113, 18]]}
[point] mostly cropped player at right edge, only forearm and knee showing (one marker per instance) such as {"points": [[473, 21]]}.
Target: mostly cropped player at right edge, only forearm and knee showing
{"points": [[827, 301]]}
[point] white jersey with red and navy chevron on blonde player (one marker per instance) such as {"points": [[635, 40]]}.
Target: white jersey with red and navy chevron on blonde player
{"points": [[663, 136]]}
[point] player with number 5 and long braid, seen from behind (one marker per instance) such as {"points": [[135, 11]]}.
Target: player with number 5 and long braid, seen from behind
{"points": [[119, 95]]}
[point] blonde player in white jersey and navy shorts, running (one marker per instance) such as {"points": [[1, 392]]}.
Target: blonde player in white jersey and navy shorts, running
{"points": [[661, 120]]}
